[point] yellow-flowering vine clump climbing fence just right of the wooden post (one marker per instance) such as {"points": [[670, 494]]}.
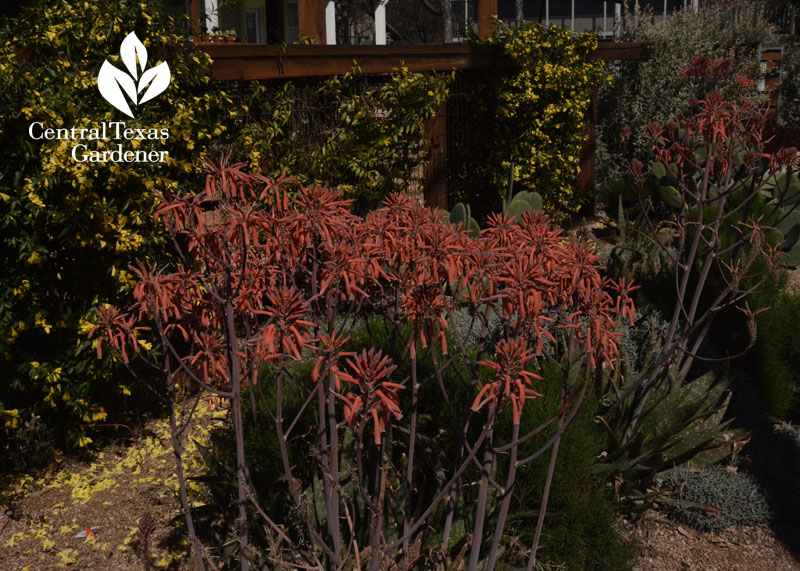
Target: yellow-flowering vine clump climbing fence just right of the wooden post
{"points": [[531, 117]]}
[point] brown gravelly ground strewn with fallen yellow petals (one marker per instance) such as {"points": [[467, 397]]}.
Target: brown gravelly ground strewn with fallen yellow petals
{"points": [[123, 484]]}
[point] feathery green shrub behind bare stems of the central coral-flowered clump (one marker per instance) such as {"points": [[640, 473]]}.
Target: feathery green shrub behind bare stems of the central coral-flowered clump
{"points": [[581, 526]]}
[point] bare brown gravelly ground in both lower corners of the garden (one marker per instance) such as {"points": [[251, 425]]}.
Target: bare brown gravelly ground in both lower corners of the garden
{"points": [[123, 484]]}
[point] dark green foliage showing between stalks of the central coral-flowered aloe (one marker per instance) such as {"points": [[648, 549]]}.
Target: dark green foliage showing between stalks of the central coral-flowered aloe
{"points": [[580, 529]]}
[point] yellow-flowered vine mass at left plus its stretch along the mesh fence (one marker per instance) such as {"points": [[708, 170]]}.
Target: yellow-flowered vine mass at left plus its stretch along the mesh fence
{"points": [[69, 230]]}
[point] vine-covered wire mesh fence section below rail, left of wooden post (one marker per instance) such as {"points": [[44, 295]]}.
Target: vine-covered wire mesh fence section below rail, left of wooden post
{"points": [[313, 115]]}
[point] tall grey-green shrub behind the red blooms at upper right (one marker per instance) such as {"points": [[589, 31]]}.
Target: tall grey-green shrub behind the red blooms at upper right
{"points": [[656, 89]]}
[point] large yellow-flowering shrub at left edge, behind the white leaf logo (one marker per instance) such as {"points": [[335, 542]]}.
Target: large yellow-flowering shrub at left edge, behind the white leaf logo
{"points": [[69, 230]]}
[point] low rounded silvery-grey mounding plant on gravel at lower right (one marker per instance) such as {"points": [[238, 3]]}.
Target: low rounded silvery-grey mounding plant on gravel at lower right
{"points": [[716, 498]]}
